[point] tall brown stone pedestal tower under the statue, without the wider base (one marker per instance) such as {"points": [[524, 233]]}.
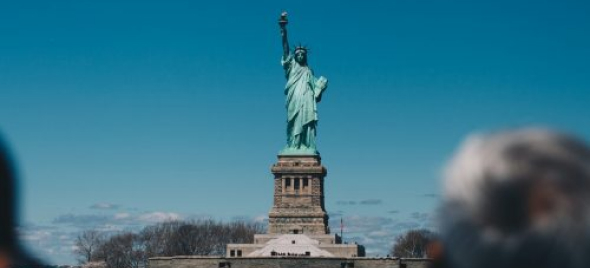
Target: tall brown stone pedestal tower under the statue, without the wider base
{"points": [[298, 206]]}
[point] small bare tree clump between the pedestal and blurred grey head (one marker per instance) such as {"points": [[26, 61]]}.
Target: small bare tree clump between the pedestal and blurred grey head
{"points": [[413, 244]]}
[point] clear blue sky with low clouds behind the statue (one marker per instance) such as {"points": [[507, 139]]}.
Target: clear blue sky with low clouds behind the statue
{"points": [[124, 113]]}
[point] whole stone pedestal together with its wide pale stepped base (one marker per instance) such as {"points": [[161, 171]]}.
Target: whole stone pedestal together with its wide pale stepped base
{"points": [[297, 221]]}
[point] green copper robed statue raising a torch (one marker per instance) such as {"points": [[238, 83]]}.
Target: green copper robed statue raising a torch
{"points": [[303, 90]]}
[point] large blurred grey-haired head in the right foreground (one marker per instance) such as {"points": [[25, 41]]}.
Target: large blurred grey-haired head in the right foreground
{"points": [[517, 199]]}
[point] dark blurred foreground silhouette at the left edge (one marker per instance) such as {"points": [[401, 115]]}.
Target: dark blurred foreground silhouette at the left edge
{"points": [[11, 254]]}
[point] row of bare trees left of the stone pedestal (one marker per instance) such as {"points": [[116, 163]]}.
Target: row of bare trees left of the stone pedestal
{"points": [[133, 249]]}
